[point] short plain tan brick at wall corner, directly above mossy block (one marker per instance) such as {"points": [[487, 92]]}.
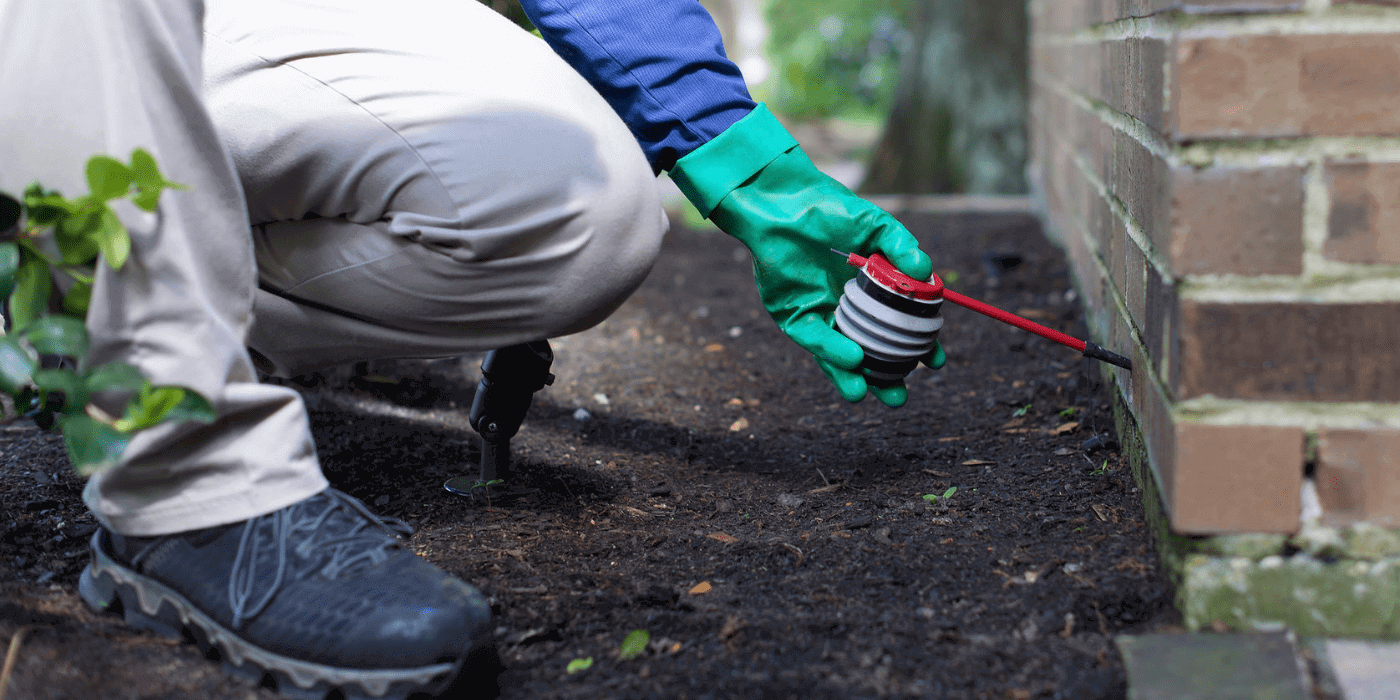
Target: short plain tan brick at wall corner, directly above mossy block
{"points": [[1237, 479]]}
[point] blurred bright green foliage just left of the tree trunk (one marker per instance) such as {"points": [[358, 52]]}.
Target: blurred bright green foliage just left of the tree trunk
{"points": [[835, 58]]}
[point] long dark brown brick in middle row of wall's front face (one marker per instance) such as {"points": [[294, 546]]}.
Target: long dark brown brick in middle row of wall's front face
{"points": [[1290, 351]]}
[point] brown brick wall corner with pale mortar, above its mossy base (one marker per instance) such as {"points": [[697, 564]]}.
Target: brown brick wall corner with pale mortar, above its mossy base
{"points": [[1226, 178]]}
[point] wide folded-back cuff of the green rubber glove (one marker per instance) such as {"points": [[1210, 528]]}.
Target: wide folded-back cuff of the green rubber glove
{"points": [[713, 171]]}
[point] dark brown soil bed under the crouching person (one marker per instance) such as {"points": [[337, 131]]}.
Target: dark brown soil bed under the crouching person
{"points": [[715, 457]]}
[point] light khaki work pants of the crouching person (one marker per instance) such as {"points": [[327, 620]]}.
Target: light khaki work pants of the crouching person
{"points": [[367, 180]]}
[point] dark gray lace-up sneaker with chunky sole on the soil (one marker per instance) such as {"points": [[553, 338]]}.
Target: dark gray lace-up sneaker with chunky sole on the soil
{"points": [[316, 598]]}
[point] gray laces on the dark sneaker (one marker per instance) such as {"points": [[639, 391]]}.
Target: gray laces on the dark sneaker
{"points": [[342, 537]]}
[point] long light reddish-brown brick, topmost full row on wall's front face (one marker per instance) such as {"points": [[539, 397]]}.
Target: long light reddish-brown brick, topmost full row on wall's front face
{"points": [[1287, 86]]}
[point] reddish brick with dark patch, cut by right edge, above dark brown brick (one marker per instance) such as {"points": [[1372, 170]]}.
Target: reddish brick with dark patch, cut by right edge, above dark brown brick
{"points": [[1366, 213]]}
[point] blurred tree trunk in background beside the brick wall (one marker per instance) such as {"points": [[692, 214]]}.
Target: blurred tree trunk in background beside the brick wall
{"points": [[960, 117]]}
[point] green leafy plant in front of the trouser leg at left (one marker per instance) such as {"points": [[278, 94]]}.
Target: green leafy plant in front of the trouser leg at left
{"points": [[50, 251]]}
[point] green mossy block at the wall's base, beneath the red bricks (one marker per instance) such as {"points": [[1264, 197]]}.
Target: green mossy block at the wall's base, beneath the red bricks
{"points": [[1305, 594]]}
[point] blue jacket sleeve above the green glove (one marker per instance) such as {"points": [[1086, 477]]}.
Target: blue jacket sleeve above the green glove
{"points": [[660, 64]]}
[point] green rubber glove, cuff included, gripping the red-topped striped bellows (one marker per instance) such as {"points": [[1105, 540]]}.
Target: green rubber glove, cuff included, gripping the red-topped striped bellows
{"points": [[755, 184]]}
